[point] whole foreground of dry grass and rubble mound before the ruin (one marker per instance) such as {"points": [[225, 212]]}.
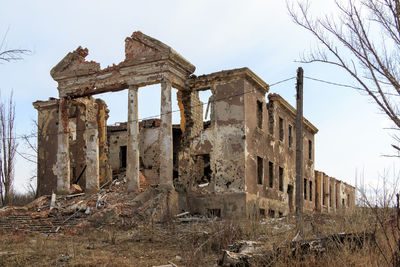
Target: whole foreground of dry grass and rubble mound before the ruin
{"points": [[116, 229]]}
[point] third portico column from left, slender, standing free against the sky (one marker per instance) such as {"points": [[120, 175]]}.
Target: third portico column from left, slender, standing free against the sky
{"points": [[132, 168]]}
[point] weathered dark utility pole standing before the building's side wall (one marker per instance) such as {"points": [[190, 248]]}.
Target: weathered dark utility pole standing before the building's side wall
{"points": [[299, 152]]}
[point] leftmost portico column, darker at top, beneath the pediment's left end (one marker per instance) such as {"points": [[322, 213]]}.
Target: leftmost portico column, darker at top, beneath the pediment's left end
{"points": [[63, 162]]}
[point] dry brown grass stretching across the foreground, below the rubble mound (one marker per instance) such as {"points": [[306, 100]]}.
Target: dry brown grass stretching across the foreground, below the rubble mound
{"points": [[196, 244]]}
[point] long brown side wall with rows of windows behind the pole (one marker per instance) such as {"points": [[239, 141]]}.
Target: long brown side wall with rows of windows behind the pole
{"points": [[271, 152]]}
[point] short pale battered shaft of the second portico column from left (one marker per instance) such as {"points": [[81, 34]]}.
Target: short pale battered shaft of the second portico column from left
{"points": [[92, 157]]}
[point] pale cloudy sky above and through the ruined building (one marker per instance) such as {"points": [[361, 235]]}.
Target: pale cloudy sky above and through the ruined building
{"points": [[212, 35]]}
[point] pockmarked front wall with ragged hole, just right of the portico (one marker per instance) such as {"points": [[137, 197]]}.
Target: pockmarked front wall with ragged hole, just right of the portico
{"points": [[217, 146]]}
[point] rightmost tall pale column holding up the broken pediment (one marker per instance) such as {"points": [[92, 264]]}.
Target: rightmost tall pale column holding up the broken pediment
{"points": [[165, 137]]}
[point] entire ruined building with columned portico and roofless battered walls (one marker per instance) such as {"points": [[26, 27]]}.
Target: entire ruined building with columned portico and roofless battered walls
{"points": [[240, 163]]}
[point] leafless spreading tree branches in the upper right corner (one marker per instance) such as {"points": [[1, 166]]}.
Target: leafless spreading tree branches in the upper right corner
{"points": [[363, 38]]}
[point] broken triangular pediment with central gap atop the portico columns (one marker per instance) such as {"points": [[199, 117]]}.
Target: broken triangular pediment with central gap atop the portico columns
{"points": [[147, 61]]}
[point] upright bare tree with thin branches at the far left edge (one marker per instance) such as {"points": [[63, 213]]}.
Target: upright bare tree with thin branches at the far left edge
{"points": [[7, 150]]}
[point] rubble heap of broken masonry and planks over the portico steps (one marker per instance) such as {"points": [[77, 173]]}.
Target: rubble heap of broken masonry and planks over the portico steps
{"points": [[71, 213]]}
